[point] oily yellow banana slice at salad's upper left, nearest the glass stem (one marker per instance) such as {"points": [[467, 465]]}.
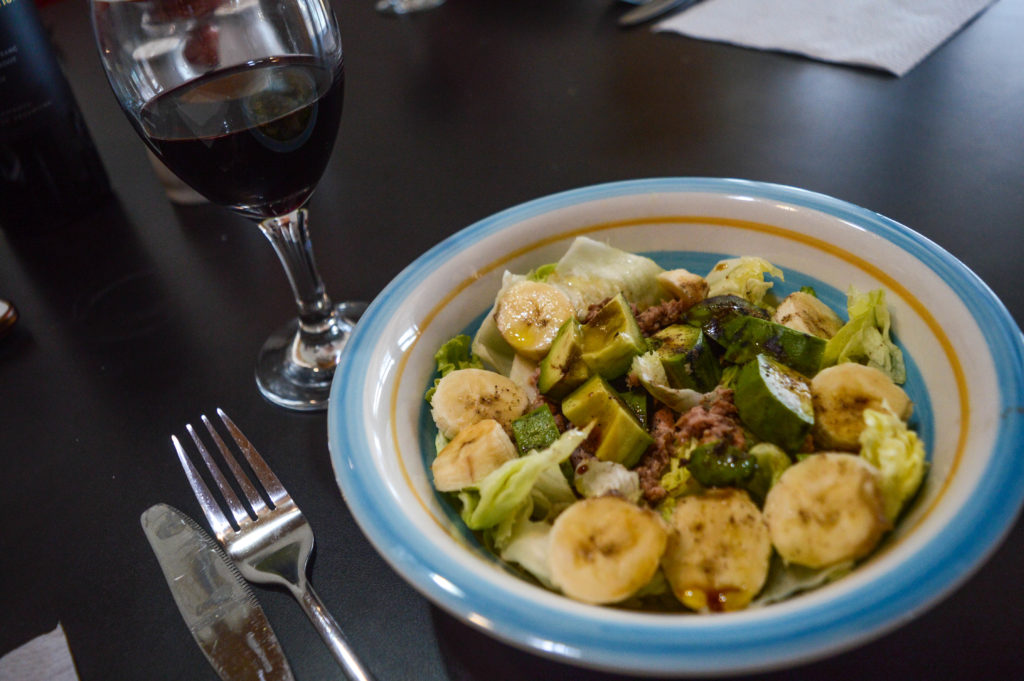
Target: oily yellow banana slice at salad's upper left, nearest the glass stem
{"points": [[529, 316]]}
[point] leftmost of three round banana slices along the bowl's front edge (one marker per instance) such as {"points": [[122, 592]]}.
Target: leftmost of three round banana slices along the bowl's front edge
{"points": [[606, 549]]}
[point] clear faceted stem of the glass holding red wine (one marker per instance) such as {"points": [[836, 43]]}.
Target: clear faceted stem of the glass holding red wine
{"points": [[289, 235]]}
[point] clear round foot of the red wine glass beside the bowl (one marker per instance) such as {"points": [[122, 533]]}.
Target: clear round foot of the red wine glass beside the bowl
{"points": [[288, 380]]}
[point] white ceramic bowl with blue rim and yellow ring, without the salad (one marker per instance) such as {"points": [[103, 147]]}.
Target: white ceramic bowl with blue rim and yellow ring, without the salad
{"points": [[966, 362]]}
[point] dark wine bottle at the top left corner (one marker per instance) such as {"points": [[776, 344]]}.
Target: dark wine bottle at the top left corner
{"points": [[51, 174]]}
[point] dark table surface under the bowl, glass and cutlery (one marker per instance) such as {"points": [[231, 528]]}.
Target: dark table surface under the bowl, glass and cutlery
{"points": [[137, 320]]}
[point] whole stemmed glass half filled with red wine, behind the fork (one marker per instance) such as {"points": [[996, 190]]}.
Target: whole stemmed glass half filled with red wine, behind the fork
{"points": [[242, 100]]}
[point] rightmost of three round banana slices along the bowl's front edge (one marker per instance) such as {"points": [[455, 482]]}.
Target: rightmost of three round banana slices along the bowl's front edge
{"points": [[827, 509]]}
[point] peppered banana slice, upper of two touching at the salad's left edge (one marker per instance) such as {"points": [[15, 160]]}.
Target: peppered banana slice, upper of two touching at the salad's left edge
{"points": [[468, 396]]}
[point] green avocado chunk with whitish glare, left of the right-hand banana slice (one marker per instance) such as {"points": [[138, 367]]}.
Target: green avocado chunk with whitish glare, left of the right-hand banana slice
{"points": [[775, 402]]}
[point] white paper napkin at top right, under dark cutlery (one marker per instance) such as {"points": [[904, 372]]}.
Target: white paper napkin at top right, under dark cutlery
{"points": [[891, 35]]}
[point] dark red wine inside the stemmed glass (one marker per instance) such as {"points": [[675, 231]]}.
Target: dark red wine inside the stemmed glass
{"points": [[254, 138]]}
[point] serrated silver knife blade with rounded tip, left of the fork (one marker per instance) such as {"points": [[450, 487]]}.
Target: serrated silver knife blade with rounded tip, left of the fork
{"points": [[215, 600]]}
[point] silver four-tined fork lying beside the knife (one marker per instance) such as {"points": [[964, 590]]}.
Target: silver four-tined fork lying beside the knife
{"points": [[271, 543]]}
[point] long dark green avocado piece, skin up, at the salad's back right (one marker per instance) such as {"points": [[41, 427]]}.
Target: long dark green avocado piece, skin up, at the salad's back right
{"points": [[746, 337]]}
